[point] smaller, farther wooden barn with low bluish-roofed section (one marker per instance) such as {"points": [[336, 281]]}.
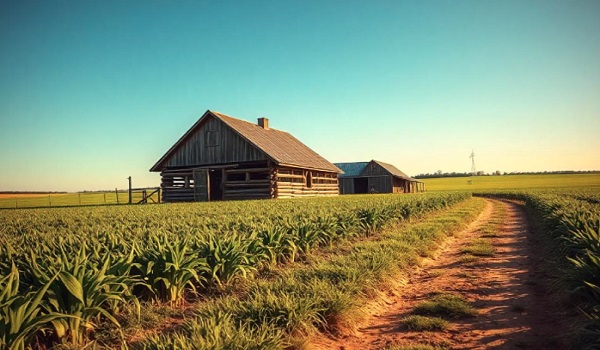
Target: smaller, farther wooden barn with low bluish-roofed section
{"points": [[375, 177]]}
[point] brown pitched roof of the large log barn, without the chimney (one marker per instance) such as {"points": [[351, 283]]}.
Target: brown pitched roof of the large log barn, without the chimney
{"points": [[280, 146]]}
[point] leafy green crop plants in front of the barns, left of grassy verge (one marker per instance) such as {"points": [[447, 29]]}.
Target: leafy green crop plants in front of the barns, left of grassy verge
{"points": [[64, 270]]}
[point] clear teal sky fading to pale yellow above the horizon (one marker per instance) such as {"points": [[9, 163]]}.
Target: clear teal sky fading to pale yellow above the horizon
{"points": [[92, 92]]}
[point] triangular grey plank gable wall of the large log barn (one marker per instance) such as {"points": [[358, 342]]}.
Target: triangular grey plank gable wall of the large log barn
{"points": [[214, 143]]}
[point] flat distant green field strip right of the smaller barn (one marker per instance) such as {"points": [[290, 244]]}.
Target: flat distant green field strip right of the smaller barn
{"points": [[512, 182]]}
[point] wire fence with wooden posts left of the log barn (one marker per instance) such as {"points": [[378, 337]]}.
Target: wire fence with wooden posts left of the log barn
{"points": [[149, 195]]}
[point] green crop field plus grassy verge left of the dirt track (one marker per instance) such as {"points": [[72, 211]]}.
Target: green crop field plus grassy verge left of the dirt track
{"points": [[73, 271]]}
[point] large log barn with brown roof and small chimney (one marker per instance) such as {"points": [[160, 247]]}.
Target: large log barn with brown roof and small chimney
{"points": [[224, 158]]}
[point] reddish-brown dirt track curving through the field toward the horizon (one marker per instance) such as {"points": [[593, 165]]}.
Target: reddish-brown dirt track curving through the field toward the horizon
{"points": [[508, 289]]}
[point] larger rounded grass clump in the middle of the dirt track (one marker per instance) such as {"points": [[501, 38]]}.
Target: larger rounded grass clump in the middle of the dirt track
{"points": [[447, 306]]}
